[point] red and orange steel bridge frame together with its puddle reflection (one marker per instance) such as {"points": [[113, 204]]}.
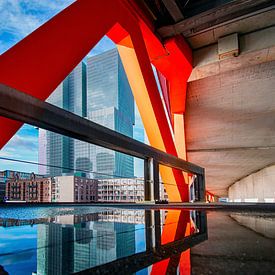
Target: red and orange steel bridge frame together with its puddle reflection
{"points": [[40, 62]]}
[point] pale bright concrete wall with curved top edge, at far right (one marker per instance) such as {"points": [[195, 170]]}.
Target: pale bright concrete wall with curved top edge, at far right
{"points": [[257, 187]]}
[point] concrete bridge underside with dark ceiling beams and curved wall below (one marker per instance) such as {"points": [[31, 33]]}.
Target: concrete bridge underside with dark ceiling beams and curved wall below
{"points": [[230, 105]]}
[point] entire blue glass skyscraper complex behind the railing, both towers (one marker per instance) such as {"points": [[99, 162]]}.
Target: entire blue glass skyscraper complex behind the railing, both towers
{"points": [[101, 94]]}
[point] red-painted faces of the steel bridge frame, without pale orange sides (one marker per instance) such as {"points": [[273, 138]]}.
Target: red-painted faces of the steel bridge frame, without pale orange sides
{"points": [[41, 61]]}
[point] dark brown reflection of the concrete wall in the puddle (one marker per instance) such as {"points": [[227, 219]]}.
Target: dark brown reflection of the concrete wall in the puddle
{"points": [[232, 248]]}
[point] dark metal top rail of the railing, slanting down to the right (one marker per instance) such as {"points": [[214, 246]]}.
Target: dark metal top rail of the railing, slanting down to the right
{"points": [[27, 109]]}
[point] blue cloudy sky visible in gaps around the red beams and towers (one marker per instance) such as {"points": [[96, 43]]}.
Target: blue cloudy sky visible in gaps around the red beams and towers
{"points": [[18, 19]]}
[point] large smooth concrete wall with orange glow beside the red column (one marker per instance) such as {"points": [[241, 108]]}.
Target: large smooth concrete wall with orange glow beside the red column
{"points": [[229, 124]]}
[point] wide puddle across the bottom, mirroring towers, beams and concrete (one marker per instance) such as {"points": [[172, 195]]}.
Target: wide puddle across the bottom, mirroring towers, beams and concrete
{"points": [[127, 241]]}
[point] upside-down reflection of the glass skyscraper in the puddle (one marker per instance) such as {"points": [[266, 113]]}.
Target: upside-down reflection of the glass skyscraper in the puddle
{"points": [[69, 246]]}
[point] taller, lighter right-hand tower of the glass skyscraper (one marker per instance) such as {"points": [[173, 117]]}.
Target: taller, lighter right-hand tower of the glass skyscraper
{"points": [[109, 103]]}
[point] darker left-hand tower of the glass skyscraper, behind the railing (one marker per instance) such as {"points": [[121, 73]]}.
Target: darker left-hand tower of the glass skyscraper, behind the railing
{"points": [[56, 150]]}
